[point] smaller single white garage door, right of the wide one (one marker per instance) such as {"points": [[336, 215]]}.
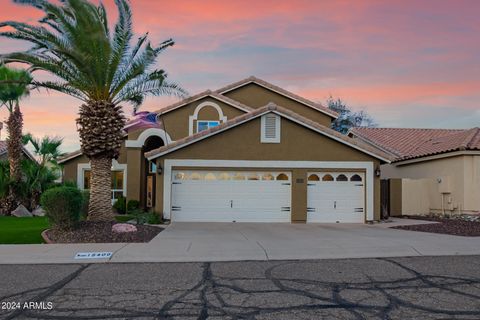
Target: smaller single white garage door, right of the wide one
{"points": [[336, 197]]}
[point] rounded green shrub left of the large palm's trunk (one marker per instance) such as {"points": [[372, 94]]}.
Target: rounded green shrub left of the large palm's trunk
{"points": [[62, 206]]}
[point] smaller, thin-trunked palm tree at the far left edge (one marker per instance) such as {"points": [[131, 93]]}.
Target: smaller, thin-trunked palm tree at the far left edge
{"points": [[13, 86]]}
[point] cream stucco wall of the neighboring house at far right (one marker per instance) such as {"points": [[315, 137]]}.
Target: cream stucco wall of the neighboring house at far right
{"points": [[460, 184]]}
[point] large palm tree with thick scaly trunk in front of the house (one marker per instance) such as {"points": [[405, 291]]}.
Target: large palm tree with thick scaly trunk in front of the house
{"points": [[101, 68]]}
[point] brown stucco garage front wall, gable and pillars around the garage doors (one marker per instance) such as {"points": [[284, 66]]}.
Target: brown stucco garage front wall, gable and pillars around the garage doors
{"points": [[297, 144]]}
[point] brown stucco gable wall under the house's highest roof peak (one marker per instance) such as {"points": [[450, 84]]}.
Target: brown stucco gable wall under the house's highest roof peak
{"points": [[256, 96]]}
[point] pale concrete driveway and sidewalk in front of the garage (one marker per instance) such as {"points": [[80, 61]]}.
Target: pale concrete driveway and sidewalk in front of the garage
{"points": [[187, 242]]}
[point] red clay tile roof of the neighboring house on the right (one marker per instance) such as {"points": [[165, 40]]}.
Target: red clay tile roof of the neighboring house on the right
{"points": [[408, 143]]}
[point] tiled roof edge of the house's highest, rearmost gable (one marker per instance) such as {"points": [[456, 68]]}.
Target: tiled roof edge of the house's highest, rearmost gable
{"points": [[281, 91]]}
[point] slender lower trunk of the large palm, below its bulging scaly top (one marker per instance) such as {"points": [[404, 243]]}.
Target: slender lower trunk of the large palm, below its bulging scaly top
{"points": [[100, 205]]}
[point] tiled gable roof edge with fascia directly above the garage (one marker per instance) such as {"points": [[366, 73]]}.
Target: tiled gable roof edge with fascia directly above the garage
{"points": [[271, 107]]}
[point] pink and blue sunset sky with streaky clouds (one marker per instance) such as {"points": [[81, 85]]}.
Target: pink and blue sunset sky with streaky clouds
{"points": [[407, 63]]}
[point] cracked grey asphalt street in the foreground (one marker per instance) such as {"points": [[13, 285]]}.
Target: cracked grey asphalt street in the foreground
{"points": [[445, 287]]}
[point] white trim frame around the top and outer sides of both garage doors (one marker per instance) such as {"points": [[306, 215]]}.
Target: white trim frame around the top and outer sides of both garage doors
{"points": [[360, 165]]}
